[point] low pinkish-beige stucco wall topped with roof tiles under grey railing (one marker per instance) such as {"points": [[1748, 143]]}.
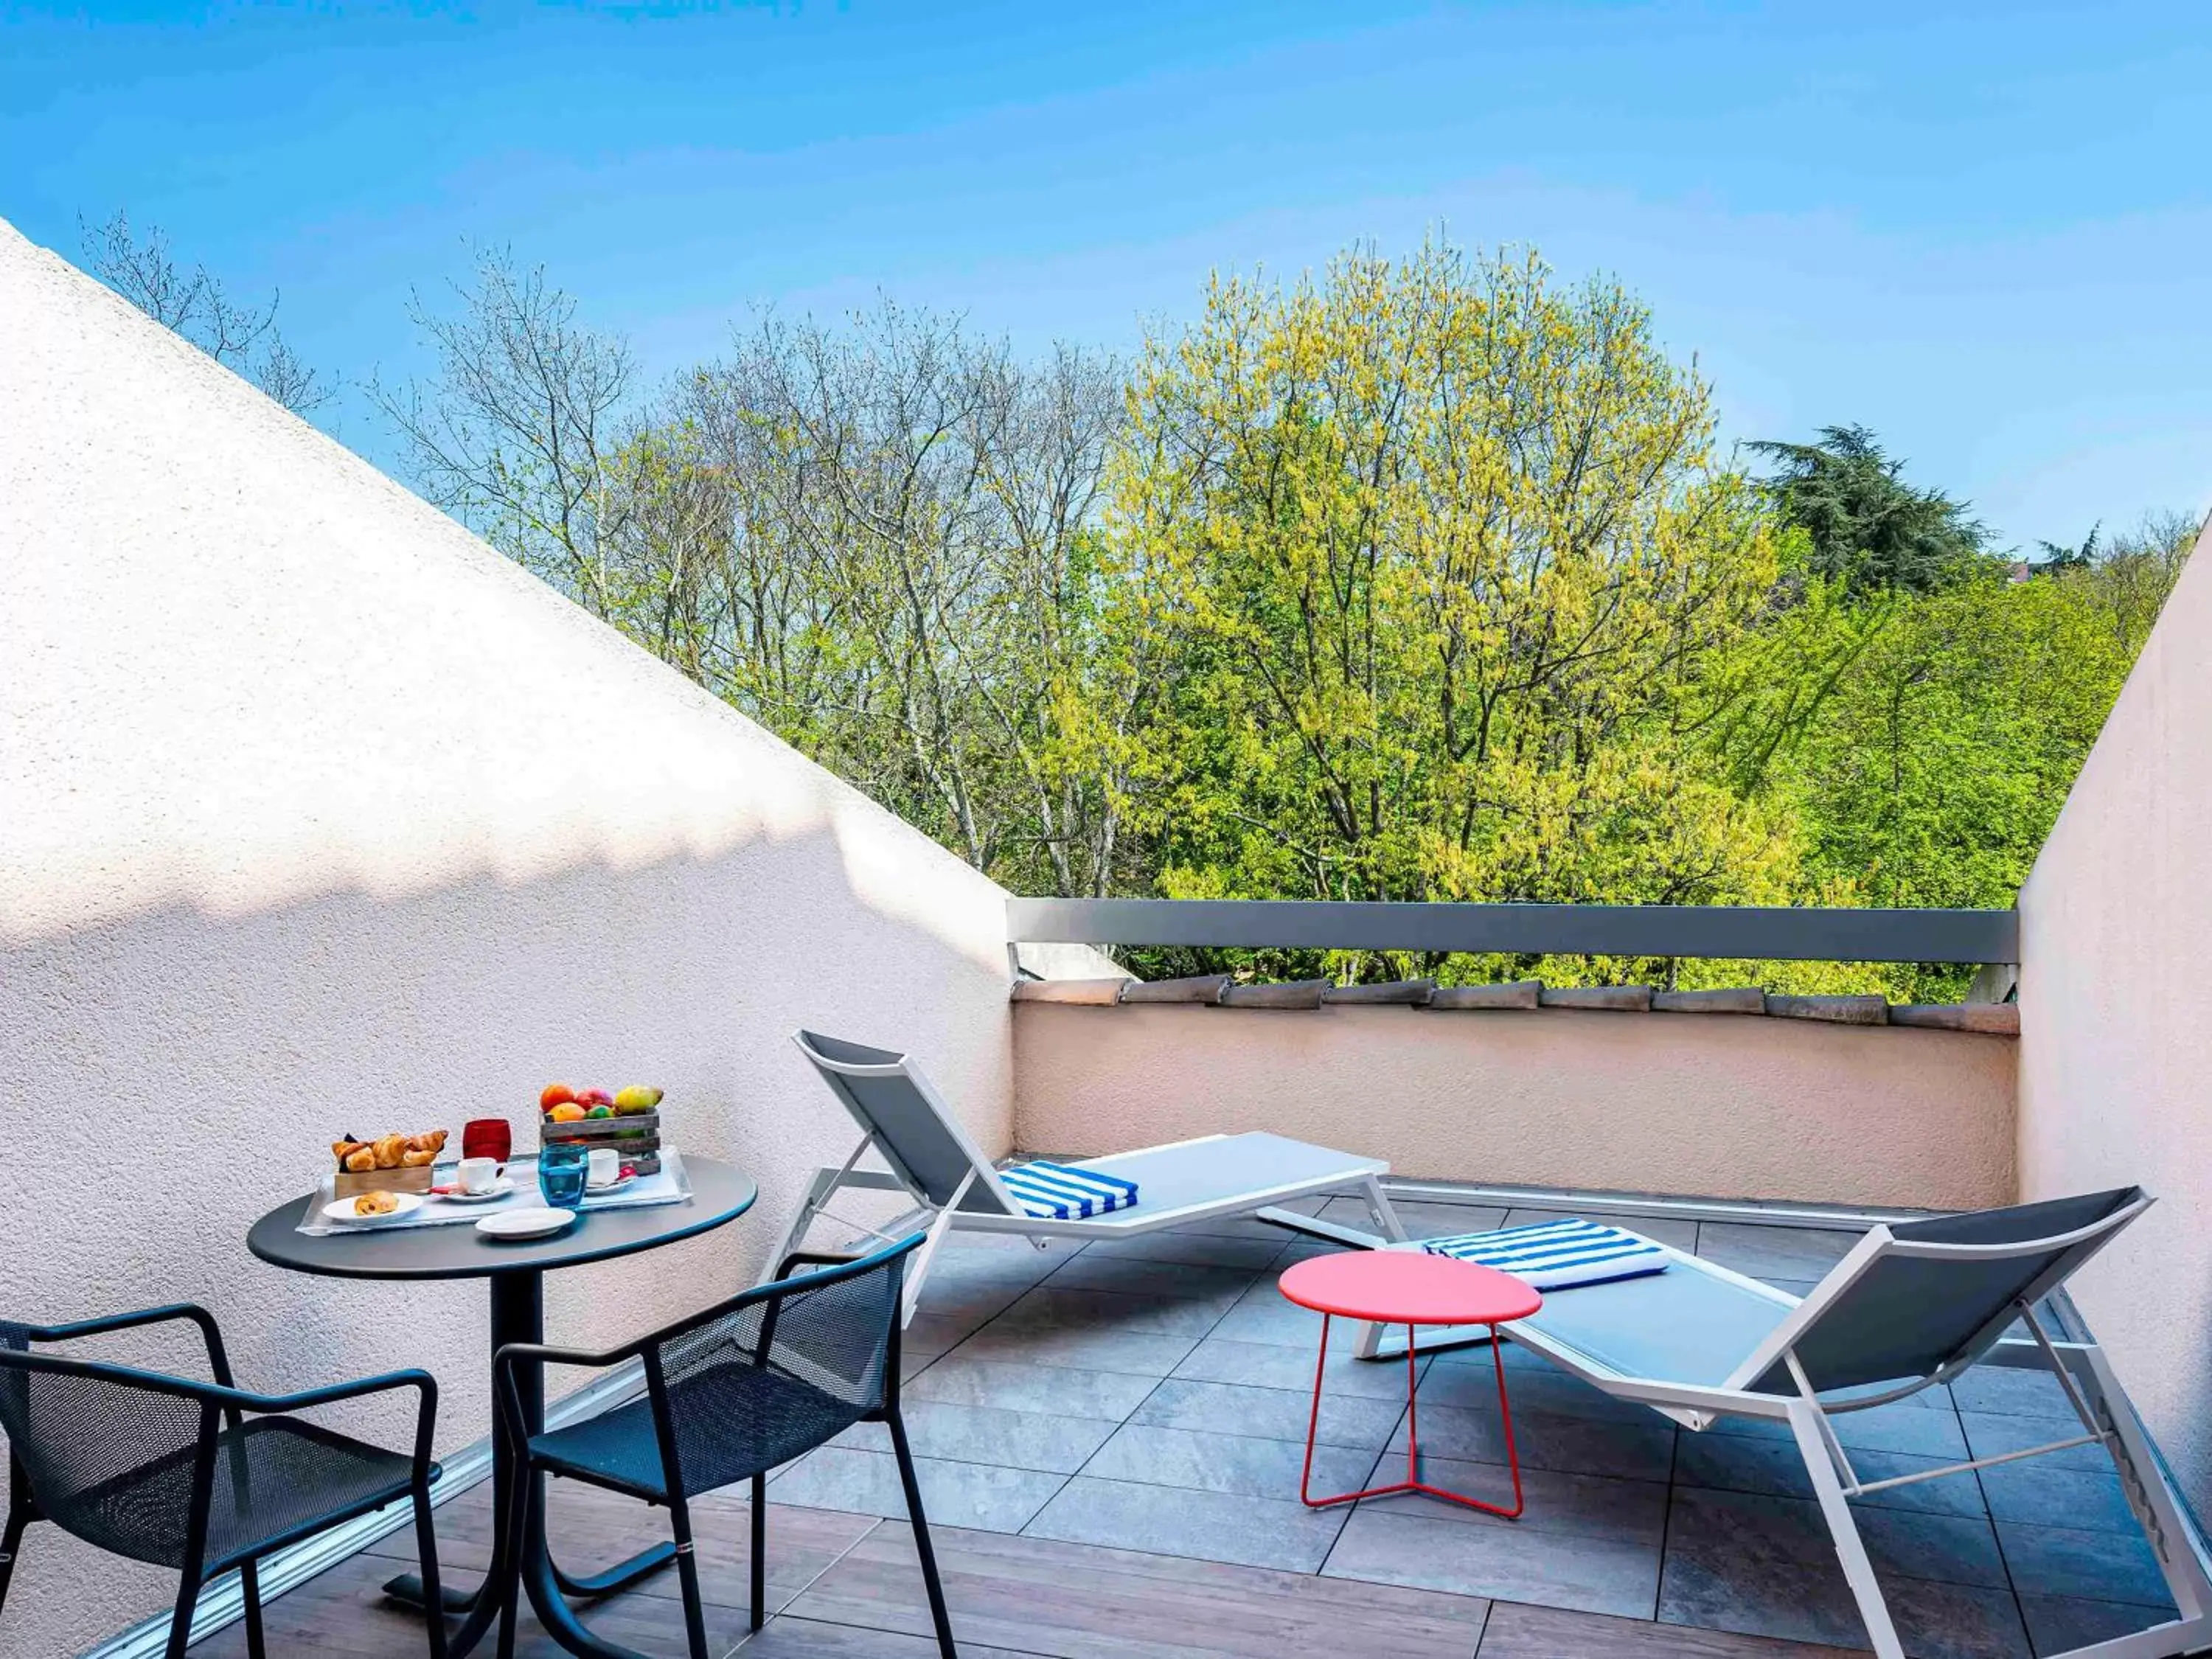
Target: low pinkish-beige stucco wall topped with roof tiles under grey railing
{"points": [[1642, 1103]]}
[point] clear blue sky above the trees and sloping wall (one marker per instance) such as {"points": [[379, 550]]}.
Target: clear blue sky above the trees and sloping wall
{"points": [[1983, 231]]}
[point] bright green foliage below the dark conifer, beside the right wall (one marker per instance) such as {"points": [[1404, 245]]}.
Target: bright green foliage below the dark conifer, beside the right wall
{"points": [[1926, 742]]}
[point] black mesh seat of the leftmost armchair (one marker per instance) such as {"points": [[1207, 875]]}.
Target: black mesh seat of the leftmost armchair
{"points": [[273, 1477]]}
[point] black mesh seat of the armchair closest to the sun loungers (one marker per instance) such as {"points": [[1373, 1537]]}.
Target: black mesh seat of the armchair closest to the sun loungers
{"points": [[733, 1421]]}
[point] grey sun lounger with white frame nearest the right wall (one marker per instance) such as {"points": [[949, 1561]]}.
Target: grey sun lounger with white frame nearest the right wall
{"points": [[1912, 1306]]}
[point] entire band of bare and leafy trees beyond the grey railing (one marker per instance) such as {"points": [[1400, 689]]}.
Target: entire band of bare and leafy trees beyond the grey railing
{"points": [[1419, 581]]}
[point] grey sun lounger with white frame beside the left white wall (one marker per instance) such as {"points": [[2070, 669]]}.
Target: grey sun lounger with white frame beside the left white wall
{"points": [[950, 1185]]}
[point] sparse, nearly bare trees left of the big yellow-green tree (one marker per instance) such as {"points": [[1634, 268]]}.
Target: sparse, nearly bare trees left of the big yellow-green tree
{"points": [[877, 539]]}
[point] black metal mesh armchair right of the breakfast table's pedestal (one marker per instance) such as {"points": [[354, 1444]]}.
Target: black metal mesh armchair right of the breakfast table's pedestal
{"points": [[733, 1392]]}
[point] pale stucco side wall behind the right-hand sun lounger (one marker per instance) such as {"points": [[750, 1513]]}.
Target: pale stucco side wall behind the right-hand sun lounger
{"points": [[2116, 1030]]}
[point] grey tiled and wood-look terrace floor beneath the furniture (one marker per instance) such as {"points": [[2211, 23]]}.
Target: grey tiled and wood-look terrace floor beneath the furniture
{"points": [[1112, 1446]]}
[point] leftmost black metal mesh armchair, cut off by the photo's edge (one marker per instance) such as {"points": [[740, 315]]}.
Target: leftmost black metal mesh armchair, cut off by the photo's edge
{"points": [[196, 1477]]}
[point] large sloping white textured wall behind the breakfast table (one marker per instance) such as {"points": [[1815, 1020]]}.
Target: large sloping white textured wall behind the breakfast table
{"points": [[324, 817]]}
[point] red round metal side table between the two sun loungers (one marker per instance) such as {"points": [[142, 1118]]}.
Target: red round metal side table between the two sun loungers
{"points": [[1408, 1288]]}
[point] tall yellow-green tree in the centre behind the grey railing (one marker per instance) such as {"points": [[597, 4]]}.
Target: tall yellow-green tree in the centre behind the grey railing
{"points": [[1446, 547]]}
